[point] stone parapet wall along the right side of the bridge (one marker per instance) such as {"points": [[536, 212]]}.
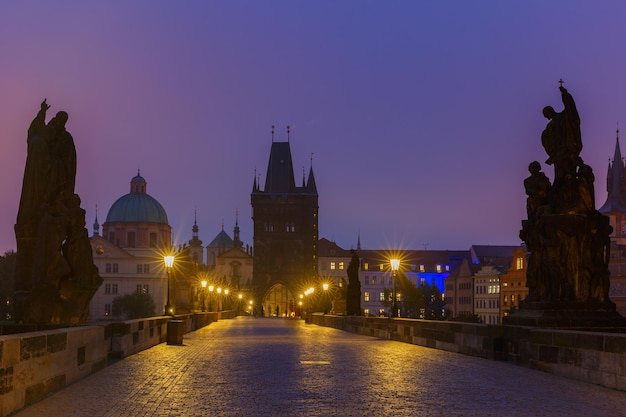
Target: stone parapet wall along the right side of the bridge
{"points": [[593, 357]]}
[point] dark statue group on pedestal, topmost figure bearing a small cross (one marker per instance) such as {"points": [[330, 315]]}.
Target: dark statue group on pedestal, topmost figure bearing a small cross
{"points": [[567, 239]]}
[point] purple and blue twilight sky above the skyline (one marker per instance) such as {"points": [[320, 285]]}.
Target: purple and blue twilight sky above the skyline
{"points": [[422, 116]]}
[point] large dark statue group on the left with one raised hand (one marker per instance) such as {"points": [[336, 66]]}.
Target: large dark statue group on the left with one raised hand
{"points": [[55, 276]]}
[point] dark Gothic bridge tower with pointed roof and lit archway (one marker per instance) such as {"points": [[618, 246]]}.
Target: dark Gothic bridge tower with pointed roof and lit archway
{"points": [[285, 218]]}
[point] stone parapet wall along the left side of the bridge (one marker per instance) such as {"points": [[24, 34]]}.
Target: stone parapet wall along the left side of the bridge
{"points": [[36, 363]]}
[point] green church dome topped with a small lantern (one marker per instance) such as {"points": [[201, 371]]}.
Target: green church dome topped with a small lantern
{"points": [[137, 206]]}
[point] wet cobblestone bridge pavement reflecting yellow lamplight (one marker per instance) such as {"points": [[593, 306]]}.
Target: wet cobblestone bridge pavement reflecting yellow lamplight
{"points": [[280, 367]]}
